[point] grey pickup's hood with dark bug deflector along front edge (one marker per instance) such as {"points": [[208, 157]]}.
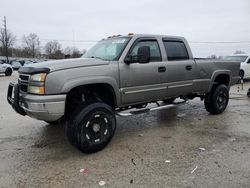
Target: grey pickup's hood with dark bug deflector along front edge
{"points": [[50, 66]]}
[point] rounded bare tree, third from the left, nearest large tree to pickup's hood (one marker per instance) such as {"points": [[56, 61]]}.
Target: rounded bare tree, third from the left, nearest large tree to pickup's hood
{"points": [[53, 50]]}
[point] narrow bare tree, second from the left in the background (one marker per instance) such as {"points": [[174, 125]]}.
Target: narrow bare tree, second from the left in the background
{"points": [[31, 45]]}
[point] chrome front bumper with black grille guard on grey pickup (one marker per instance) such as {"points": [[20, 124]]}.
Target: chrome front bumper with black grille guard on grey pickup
{"points": [[41, 107]]}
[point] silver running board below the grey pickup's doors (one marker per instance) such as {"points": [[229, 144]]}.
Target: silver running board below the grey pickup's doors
{"points": [[145, 110]]}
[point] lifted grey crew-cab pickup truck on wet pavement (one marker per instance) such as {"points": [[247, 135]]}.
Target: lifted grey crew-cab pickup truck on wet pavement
{"points": [[120, 75]]}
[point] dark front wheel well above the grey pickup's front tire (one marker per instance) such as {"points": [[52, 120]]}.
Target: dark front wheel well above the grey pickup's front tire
{"points": [[85, 93]]}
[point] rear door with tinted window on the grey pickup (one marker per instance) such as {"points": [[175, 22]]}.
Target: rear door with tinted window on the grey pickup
{"points": [[180, 68]]}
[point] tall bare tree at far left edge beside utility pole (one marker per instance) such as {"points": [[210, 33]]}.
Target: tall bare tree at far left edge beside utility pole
{"points": [[7, 40]]}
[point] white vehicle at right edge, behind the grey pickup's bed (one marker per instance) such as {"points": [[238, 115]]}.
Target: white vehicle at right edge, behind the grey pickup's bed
{"points": [[244, 66]]}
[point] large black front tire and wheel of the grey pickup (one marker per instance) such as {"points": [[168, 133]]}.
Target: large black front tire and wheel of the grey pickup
{"points": [[91, 127]]}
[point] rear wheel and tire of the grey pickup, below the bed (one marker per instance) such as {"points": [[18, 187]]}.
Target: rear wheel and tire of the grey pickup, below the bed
{"points": [[217, 100]]}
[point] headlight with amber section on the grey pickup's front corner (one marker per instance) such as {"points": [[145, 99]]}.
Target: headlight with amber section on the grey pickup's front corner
{"points": [[36, 84]]}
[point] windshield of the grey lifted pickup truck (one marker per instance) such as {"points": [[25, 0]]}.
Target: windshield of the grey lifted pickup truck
{"points": [[109, 49]]}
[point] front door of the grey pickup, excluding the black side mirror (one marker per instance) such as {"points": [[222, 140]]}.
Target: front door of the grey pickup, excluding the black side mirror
{"points": [[143, 82]]}
